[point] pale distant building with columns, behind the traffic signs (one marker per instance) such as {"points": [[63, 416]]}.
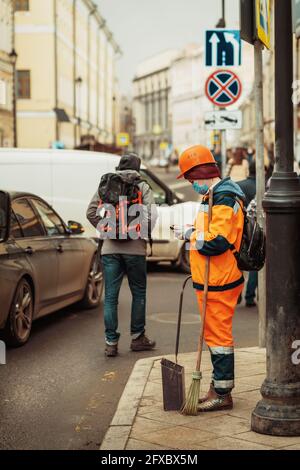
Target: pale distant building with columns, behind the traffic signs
{"points": [[170, 103]]}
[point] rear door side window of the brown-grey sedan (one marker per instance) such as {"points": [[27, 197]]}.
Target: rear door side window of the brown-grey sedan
{"points": [[30, 224]]}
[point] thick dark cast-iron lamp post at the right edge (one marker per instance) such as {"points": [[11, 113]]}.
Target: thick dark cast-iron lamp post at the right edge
{"points": [[278, 413]]}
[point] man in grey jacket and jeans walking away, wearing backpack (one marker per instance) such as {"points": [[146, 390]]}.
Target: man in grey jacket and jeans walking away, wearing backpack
{"points": [[123, 211]]}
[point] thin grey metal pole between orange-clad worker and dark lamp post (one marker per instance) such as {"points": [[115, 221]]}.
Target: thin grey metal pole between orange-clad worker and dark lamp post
{"points": [[260, 181]]}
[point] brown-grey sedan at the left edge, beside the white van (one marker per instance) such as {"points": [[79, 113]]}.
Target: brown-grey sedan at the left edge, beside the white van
{"points": [[45, 264]]}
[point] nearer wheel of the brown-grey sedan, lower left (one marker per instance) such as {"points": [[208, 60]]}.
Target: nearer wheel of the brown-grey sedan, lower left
{"points": [[19, 322]]}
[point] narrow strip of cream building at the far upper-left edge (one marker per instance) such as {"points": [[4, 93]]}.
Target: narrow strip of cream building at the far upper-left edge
{"points": [[6, 74]]}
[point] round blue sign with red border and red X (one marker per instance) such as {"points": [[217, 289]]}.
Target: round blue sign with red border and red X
{"points": [[223, 88]]}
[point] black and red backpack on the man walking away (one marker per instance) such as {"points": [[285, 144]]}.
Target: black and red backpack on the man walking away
{"points": [[120, 192]]}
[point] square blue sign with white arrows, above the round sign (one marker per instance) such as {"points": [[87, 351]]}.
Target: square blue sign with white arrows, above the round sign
{"points": [[223, 48]]}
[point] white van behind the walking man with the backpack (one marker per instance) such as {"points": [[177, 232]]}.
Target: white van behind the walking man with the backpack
{"points": [[67, 179]]}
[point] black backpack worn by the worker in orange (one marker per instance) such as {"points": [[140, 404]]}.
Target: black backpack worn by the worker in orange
{"points": [[252, 253]]}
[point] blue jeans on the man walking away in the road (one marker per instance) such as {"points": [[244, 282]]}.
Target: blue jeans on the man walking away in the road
{"points": [[114, 269]]}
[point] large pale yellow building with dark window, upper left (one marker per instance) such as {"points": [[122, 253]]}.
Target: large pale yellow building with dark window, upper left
{"points": [[65, 73]]}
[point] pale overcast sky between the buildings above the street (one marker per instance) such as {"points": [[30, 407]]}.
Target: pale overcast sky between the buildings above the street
{"points": [[144, 28]]}
